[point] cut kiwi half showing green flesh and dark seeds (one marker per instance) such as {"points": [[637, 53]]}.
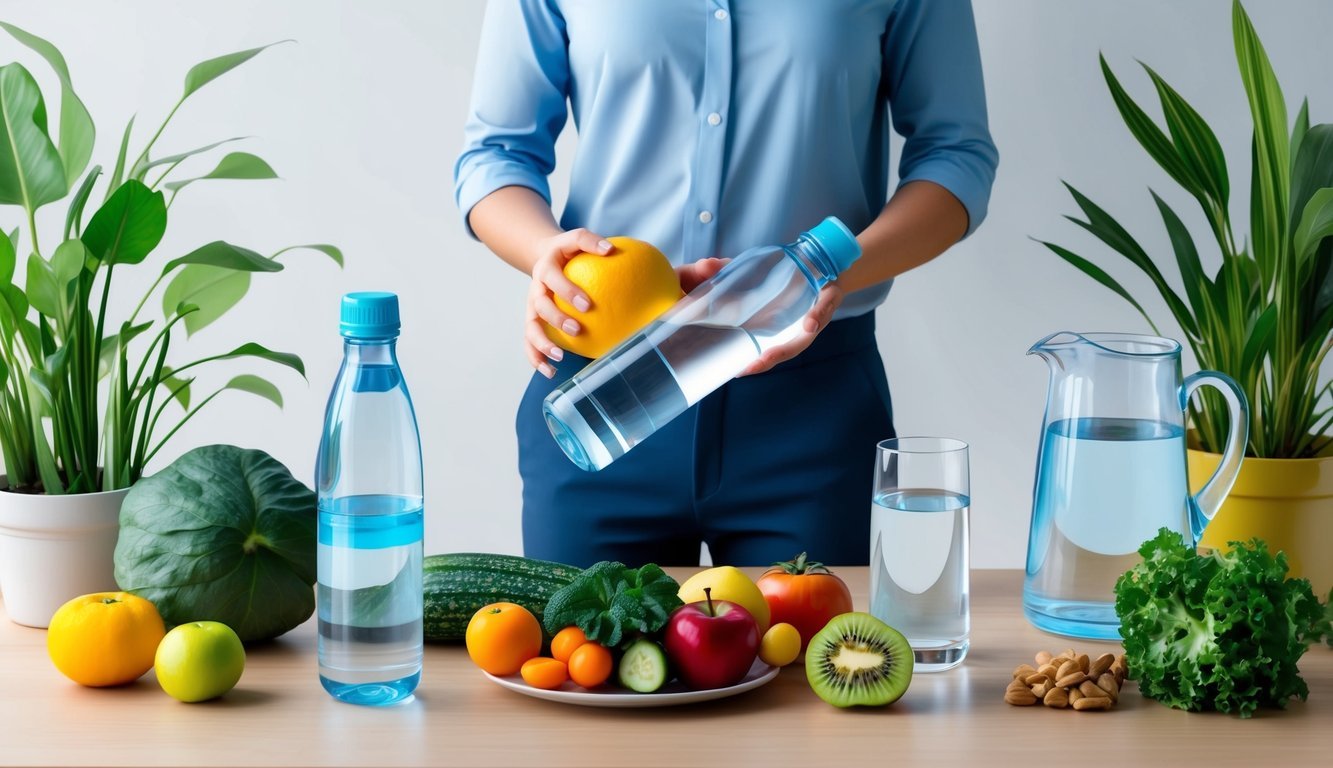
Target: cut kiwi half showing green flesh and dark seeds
{"points": [[858, 661]]}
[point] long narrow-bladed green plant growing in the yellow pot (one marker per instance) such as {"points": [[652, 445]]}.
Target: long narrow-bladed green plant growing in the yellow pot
{"points": [[1266, 317]]}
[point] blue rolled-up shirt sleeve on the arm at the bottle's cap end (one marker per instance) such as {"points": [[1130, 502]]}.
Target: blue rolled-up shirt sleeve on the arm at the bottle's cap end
{"points": [[938, 101]]}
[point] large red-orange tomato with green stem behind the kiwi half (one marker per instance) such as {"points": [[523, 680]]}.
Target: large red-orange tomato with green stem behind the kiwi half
{"points": [[806, 595]]}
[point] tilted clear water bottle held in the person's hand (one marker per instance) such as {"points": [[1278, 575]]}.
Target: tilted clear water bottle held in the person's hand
{"points": [[758, 302]]}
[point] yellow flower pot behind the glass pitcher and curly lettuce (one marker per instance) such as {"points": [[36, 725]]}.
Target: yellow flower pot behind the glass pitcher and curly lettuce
{"points": [[1288, 503]]}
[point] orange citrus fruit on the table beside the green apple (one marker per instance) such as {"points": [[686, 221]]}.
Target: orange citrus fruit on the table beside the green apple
{"points": [[105, 639]]}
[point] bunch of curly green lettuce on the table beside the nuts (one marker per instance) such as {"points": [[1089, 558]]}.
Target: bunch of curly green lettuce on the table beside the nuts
{"points": [[1220, 631]]}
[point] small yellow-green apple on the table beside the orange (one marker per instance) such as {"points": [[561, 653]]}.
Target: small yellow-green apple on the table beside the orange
{"points": [[199, 661]]}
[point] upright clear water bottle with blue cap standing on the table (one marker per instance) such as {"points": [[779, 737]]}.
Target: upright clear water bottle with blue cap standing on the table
{"points": [[371, 517]]}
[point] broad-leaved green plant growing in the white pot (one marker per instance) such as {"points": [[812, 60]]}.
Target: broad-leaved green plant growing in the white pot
{"points": [[82, 398]]}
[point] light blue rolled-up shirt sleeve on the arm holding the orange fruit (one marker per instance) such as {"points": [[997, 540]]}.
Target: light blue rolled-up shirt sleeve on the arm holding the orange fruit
{"points": [[518, 103]]}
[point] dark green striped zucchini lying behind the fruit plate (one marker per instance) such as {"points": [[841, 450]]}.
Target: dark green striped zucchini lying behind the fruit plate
{"points": [[459, 585]]}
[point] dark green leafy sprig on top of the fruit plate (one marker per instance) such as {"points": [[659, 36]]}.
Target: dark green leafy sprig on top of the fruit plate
{"points": [[611, 602]]}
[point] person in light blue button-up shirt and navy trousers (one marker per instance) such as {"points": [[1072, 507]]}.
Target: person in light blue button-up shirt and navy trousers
{"points": [[707, 127]]}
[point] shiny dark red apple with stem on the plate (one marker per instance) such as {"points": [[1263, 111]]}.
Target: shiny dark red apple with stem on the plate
{"points": [[712, 645]]}
